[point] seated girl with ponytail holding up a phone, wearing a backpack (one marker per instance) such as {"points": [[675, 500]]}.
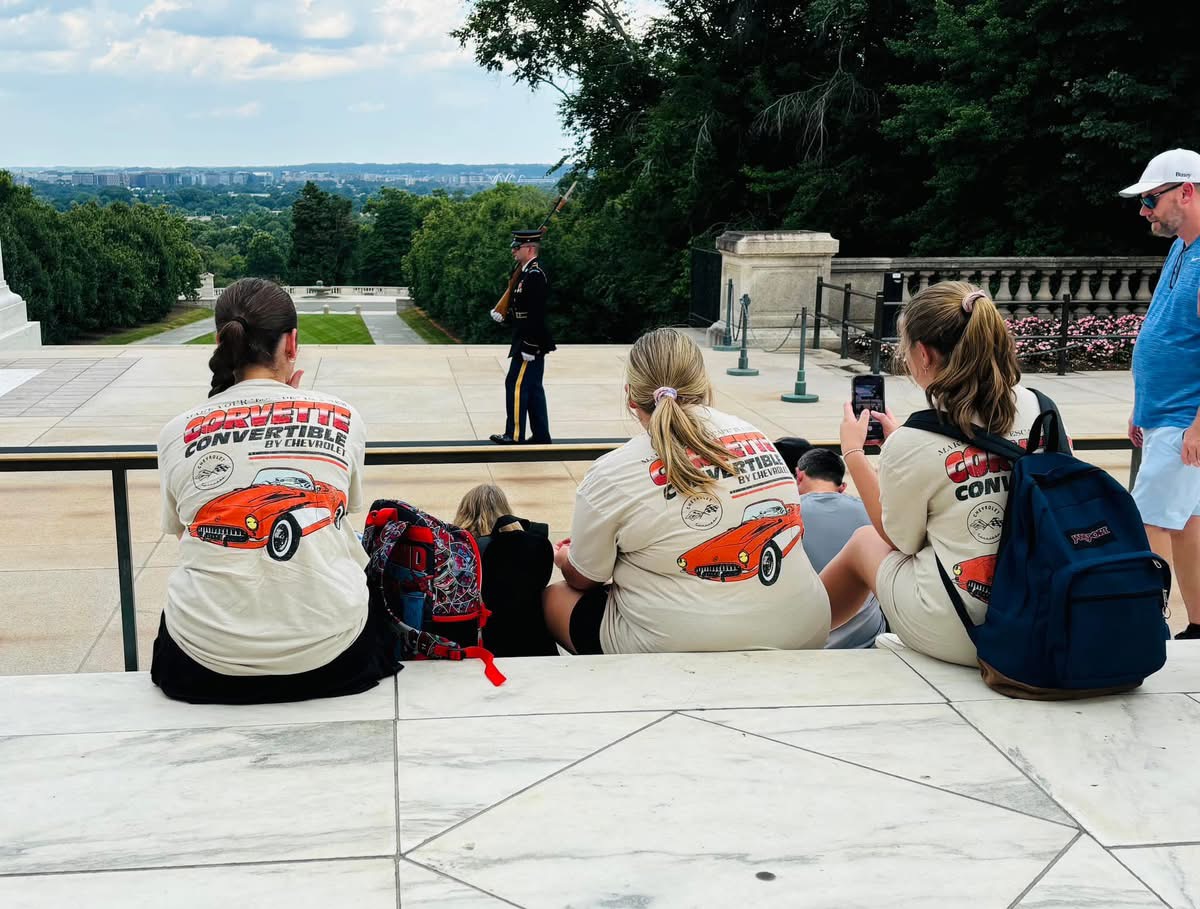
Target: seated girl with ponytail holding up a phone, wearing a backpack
{"points": [[935, 501]]}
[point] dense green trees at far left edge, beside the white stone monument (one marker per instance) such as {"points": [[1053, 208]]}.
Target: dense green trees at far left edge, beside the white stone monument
{"points": [[94, 267]]}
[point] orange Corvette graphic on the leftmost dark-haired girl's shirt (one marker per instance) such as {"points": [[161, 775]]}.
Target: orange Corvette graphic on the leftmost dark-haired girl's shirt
{"points": [[279, 508]]}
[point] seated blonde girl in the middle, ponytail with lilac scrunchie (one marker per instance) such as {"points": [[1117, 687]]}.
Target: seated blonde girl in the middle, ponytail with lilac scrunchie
{"points": [[688, 538]]}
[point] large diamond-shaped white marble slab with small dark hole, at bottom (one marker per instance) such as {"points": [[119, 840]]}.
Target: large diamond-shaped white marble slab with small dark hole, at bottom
{"points": [[691, 833]]}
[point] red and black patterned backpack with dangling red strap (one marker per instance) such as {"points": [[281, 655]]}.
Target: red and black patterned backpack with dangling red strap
{"points": [[428, 575]]}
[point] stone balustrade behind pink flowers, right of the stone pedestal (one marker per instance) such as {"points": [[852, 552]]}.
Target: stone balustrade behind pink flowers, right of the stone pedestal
{"points": [[1100, 286]]}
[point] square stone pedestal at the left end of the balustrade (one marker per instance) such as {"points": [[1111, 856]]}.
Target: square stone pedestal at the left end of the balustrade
{"points": [[779, 270]]}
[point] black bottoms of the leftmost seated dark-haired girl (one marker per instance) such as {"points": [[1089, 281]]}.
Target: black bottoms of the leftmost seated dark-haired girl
{"points": [[371, 658]]}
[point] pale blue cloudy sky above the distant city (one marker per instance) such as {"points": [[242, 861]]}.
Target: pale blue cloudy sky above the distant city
{"points": [[164, 83]]}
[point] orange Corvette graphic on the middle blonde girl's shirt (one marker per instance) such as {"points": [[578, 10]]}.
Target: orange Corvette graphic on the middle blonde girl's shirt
{"points": [[758, 546]]}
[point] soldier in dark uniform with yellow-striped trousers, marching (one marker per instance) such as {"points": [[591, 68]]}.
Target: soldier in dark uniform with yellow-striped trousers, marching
{"points": [[525, 395]]}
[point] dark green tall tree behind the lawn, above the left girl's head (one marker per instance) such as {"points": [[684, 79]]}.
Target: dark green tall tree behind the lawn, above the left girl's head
{"points": [[323, 238]]}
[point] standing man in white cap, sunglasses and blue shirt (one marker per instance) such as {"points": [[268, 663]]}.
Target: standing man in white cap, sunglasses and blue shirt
{"points": [[1166, 420]]}
